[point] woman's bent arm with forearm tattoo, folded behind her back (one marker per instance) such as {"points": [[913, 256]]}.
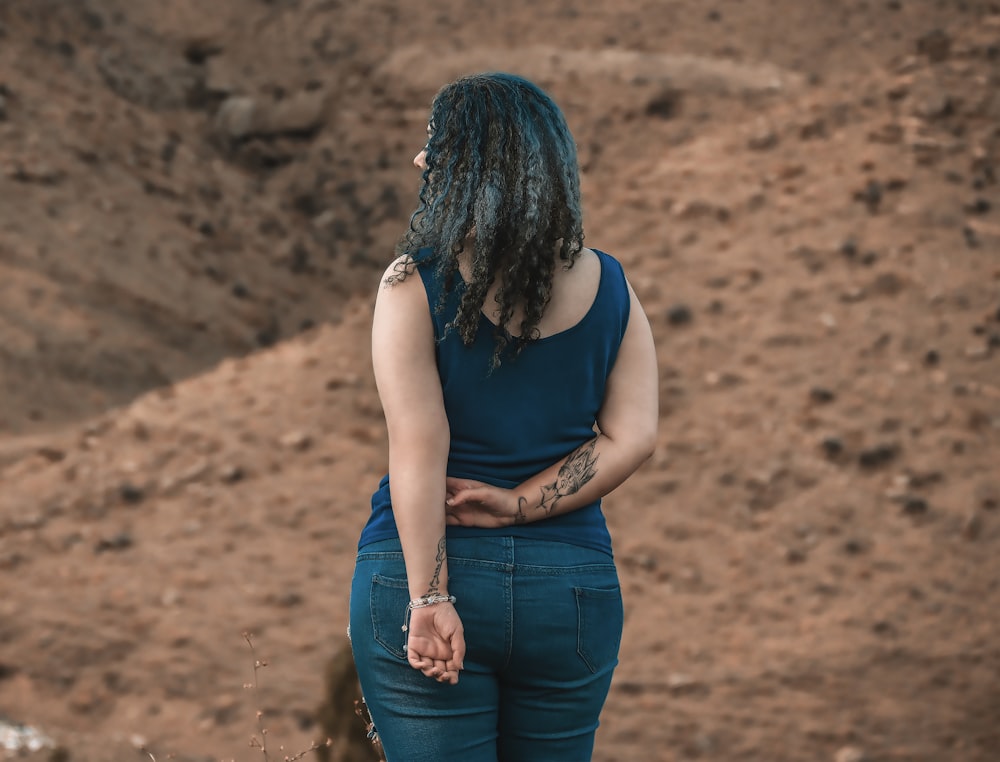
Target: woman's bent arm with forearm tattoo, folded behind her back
{"points": [[627, 423]]}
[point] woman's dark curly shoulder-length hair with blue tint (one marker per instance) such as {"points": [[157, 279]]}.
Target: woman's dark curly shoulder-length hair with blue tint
{"points": [[501, 167]]}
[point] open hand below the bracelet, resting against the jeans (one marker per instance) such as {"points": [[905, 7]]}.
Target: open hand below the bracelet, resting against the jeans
{"points": [[435, 642]]}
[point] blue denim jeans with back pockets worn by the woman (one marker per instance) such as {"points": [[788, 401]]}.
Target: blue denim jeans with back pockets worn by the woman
{"points": [[543, 623]]}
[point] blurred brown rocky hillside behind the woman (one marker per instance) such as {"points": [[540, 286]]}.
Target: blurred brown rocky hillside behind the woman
{"points": [[196, 203]]}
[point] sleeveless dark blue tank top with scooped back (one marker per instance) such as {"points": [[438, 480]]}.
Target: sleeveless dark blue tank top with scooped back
{"points": [[529, 413]]}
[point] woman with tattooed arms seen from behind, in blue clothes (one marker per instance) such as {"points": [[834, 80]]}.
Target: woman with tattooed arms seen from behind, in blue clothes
{"points": [[486, 613]]}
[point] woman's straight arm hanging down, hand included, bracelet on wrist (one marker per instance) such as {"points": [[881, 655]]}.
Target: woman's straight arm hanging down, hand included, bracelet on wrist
{"points": [[410, 391]]}
